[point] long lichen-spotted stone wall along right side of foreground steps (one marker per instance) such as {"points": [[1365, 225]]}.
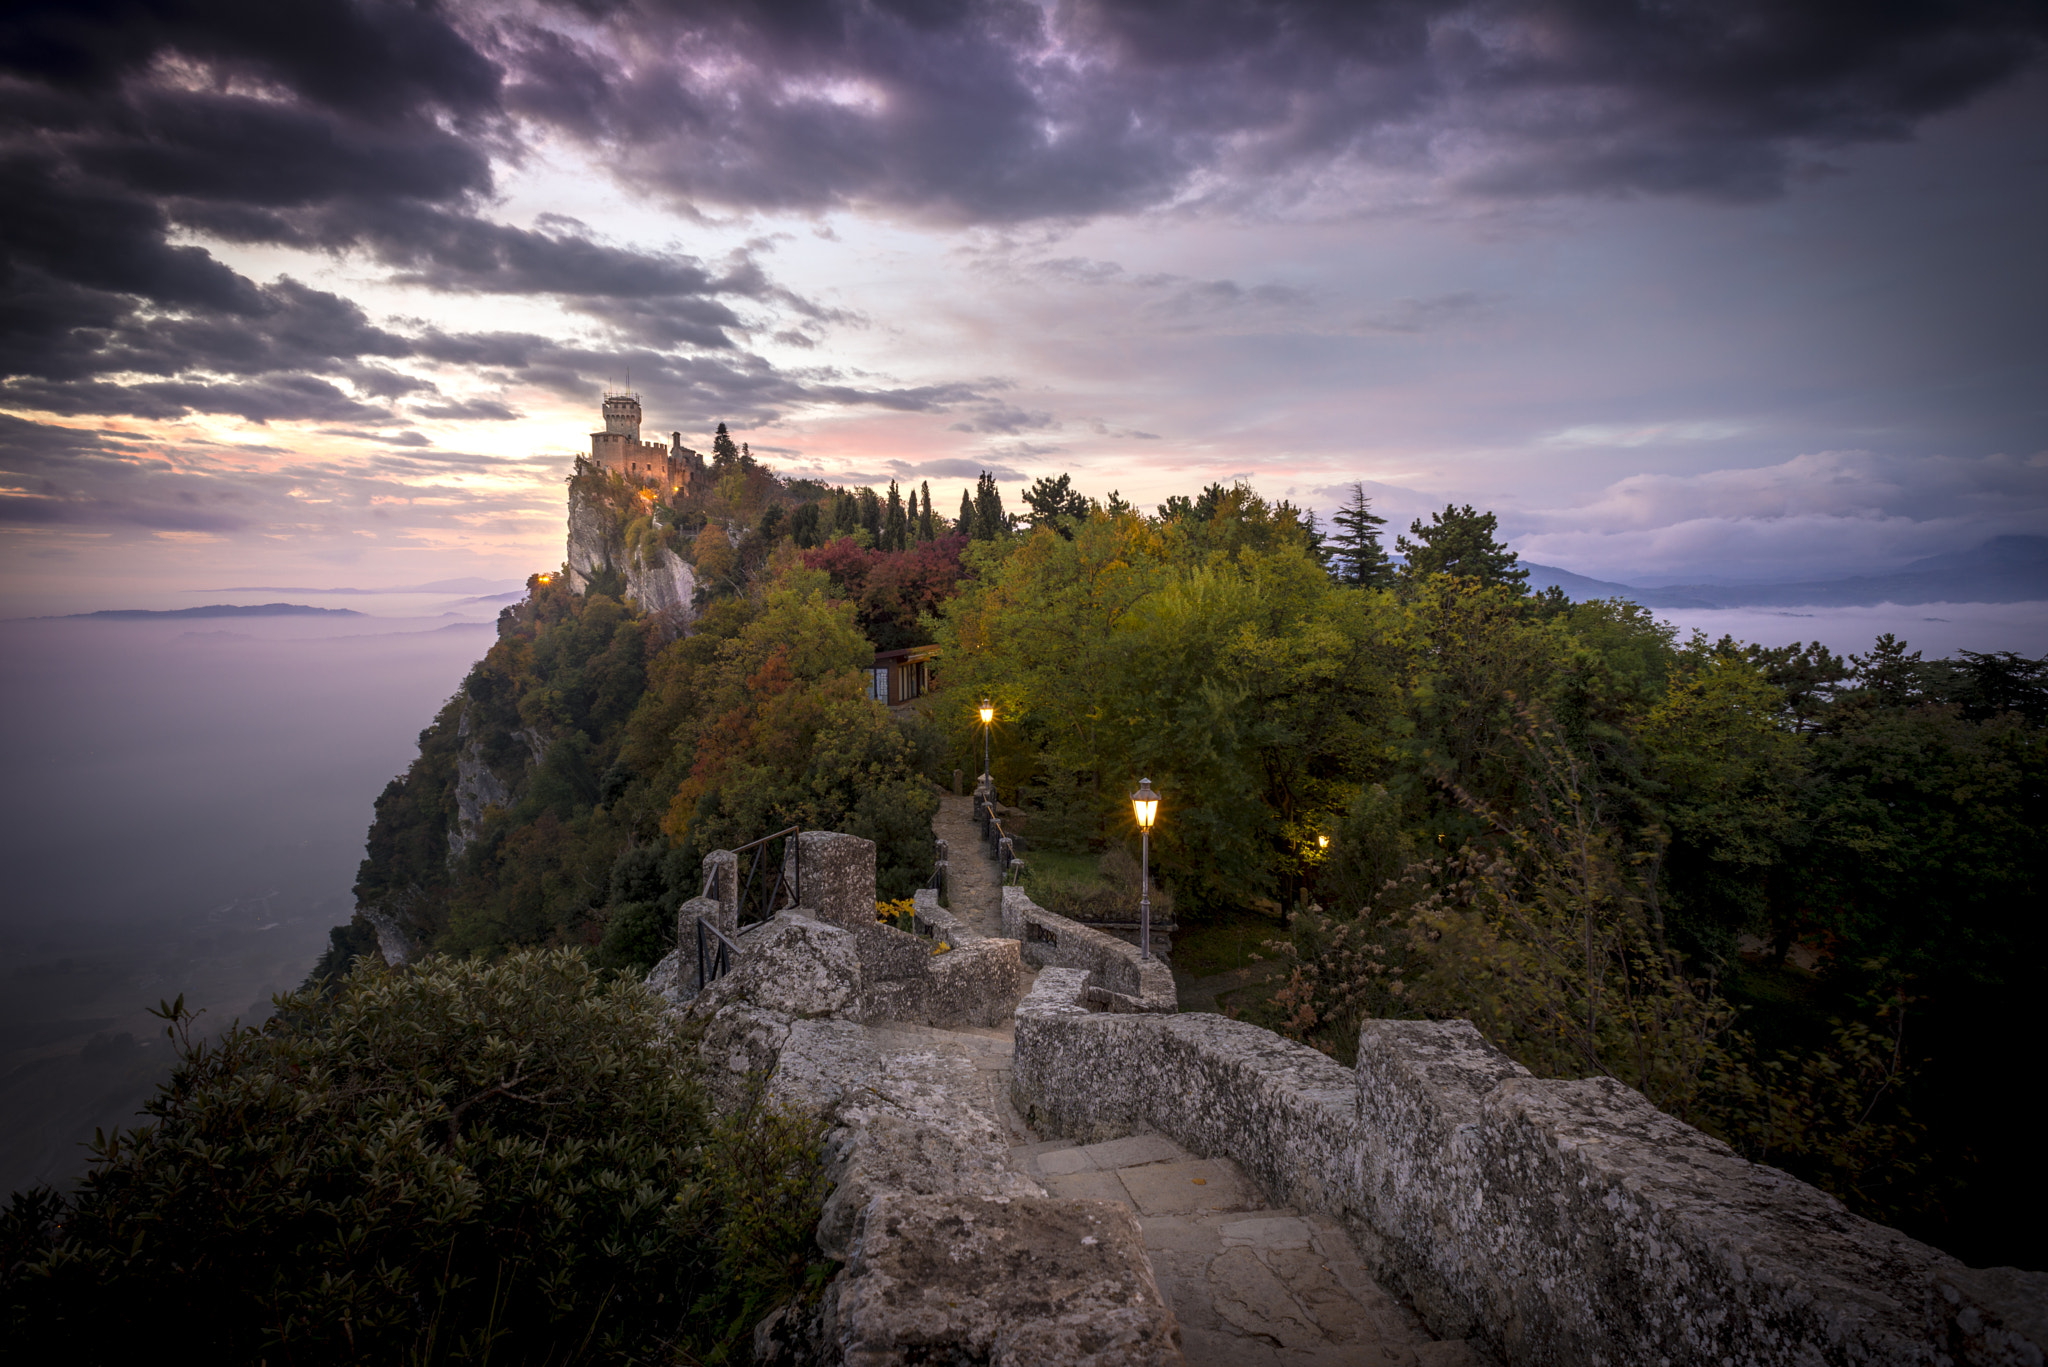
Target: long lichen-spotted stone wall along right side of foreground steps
{"points": [[1555, 1223]]}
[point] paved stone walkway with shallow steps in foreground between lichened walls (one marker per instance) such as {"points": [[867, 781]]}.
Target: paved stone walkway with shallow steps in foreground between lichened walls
{"points": [[1252, 1286]]}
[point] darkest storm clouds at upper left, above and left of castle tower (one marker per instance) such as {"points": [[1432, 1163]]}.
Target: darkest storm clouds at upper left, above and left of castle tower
{"points": [[323, 126]]}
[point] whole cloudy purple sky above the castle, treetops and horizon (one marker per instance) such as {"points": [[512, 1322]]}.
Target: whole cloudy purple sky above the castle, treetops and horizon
{"points": [[327, 292]]}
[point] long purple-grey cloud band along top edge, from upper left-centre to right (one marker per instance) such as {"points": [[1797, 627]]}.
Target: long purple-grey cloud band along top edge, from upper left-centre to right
{"points": [[1005, 112]]}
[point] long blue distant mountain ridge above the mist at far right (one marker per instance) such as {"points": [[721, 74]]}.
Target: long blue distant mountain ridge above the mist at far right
{"points": [[2000, 571]]}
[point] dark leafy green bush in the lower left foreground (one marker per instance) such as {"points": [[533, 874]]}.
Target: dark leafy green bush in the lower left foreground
{"points": [[450, 1161]]}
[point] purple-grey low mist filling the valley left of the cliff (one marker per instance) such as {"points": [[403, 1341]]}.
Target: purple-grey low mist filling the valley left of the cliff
{"points": [[183, 813]]}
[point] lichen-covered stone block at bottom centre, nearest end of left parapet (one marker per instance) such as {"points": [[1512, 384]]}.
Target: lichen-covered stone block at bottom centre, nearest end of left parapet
{"points": [[1031, 1282]]}
